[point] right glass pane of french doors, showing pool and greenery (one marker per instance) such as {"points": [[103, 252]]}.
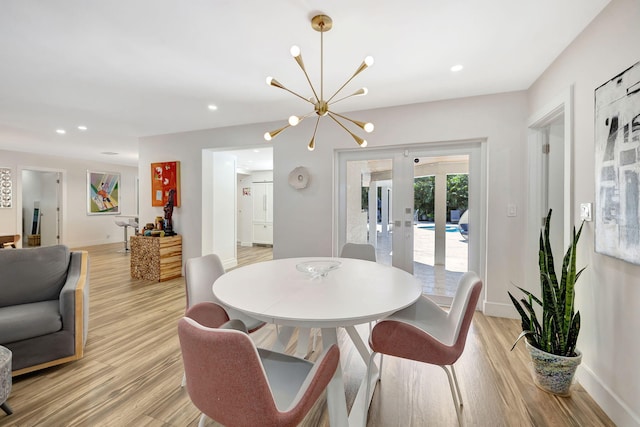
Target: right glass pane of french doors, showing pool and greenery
{"points": [[440, 200]]}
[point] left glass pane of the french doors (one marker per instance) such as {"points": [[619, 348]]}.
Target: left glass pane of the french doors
{"points": [[368, 205]]}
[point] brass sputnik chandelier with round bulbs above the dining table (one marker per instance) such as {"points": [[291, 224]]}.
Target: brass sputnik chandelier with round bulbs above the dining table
{"points": [[322, 107]]}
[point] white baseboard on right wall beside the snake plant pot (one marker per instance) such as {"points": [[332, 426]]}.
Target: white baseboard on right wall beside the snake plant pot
{"points": [[610, 403]]}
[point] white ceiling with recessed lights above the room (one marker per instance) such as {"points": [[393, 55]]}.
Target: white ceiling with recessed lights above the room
{"points": [[132, 68]]}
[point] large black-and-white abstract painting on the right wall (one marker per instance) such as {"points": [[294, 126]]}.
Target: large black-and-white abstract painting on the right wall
{"points": [[617, 141]]}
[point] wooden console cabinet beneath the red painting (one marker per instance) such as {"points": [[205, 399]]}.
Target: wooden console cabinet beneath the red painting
{"points": [[156, 258]]}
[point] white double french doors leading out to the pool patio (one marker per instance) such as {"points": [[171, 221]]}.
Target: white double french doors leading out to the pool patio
{"points": [[376, 204]]}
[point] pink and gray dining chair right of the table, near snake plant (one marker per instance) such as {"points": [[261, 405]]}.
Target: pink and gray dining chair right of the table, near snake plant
{"points": [[424, 332]]}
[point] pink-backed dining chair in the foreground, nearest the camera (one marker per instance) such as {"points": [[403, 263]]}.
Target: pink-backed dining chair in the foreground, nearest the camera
{"points": [[236, 384]]}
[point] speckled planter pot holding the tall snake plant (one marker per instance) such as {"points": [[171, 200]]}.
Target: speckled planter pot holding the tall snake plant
{"points": [[552, 373]]}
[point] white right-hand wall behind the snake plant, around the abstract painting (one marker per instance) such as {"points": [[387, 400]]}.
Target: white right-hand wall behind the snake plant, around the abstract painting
{"points": [[608, 292]]}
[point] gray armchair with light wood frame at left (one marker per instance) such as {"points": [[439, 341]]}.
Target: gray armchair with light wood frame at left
{"points": [[44, 306]]}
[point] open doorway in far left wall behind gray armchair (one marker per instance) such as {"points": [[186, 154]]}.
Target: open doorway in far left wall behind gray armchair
{"points": [[41, 201]]}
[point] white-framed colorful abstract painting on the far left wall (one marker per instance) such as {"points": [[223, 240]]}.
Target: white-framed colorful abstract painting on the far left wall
{"points": [[103, 193]]}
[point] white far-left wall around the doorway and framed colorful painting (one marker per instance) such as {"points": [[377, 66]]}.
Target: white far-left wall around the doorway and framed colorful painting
{"points": [[78, 228]]}
